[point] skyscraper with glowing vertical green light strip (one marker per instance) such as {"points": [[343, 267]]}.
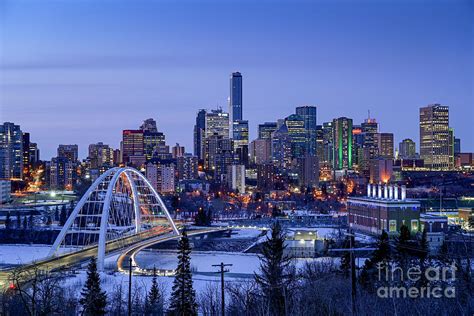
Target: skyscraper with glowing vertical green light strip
{"points": [[342, 143]]}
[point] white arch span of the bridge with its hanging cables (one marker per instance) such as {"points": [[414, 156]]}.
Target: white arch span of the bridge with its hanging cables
{"points": [[119, 206]]}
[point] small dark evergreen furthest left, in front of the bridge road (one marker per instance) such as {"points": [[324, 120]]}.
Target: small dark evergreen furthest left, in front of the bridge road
{"points": [[93, 299]]}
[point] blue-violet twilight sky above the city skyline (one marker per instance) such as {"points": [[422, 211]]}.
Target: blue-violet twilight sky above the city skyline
{"points": [[81, 71]]}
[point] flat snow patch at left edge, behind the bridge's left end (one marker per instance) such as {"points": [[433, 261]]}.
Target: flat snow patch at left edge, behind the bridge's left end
{"points": [[24, 253]]}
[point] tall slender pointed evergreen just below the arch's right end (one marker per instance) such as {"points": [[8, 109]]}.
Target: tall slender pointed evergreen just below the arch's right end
{"points": [[183, 296]]}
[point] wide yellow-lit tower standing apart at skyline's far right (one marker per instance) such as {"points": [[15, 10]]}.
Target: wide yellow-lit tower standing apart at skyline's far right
{"points": [[436, 138]]}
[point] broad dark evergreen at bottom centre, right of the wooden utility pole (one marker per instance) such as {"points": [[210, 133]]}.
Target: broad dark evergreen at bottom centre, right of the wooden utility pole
{"points": [[275, 276]]}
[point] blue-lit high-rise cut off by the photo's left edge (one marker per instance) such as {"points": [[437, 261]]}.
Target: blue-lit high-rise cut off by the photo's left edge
{"points": [[11, 151]]}
